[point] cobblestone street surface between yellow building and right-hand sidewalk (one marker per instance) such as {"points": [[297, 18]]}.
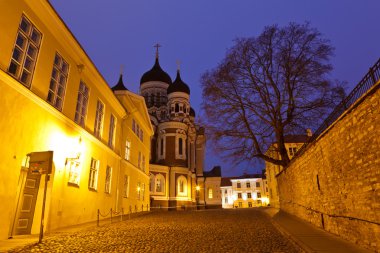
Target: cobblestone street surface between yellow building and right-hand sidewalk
{"points": [[242, 230]]}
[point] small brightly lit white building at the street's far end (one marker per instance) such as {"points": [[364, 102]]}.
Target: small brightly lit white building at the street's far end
{"points": [[245, 191]]}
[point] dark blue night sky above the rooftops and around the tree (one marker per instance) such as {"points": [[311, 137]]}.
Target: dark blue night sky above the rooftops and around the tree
{"points": [[198, 32]]}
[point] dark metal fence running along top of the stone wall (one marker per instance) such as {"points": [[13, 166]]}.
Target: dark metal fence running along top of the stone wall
{"points": [[368, 81]]}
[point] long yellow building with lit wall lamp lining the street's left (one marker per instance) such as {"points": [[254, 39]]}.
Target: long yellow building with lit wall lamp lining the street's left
{"points": [[54, 99]]}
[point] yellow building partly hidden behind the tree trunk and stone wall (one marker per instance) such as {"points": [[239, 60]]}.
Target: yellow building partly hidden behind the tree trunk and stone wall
{"points": [[292, 143]]}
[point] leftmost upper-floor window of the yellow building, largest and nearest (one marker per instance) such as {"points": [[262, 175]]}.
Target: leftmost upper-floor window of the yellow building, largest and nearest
{"points": [[25, 52]]}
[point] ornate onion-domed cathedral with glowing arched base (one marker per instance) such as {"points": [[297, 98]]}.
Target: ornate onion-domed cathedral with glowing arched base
{"points": [[178, 144]]}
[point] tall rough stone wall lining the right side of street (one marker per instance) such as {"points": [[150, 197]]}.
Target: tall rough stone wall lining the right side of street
{"points": [[335, 183]]}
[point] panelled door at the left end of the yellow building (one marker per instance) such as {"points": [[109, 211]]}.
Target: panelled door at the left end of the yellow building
{"points": [[28, 203]]}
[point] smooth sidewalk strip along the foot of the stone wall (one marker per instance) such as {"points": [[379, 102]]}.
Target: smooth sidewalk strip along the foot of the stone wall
{"points": [[309, 237]]}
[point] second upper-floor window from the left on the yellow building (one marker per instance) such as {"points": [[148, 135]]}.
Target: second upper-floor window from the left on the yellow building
{"points": [[58, 82]]}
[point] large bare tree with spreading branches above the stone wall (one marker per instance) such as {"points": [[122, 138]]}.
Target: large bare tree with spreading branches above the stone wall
{"points": [[266, 87]]}
